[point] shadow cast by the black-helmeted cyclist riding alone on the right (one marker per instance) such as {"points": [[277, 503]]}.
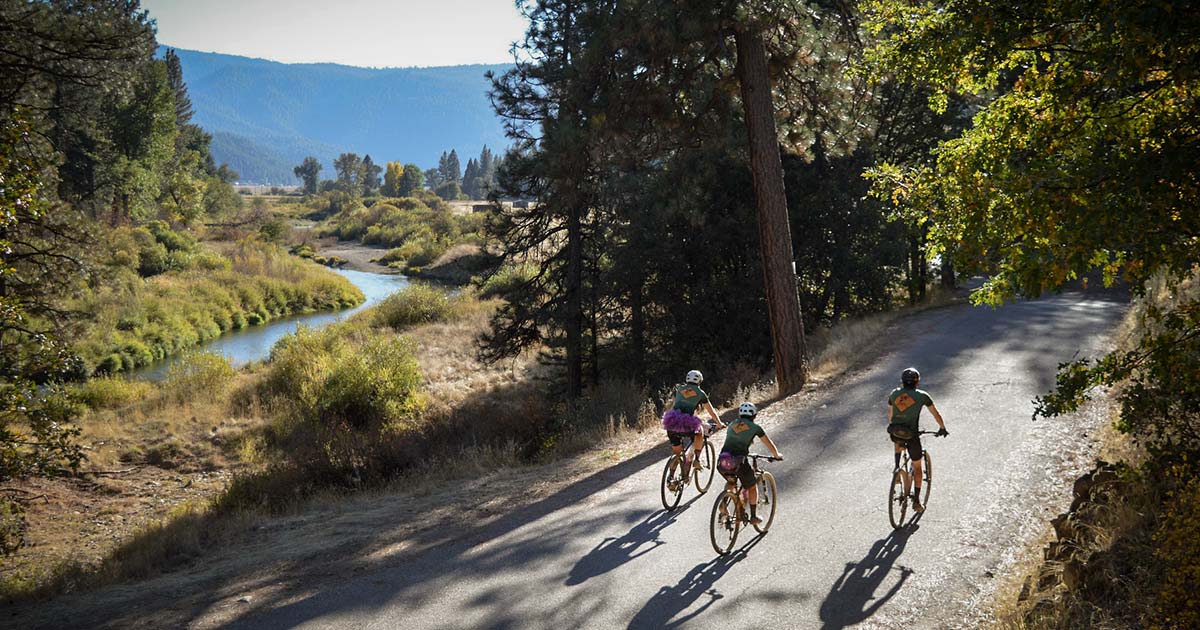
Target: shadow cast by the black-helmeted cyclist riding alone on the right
{"points": [[853, 598]]}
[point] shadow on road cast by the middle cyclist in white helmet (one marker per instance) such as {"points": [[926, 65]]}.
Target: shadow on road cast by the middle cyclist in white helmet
{"points": [[662, 610]]}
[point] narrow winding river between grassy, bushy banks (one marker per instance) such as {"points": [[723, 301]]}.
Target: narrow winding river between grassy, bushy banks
{"points": [[254, 344]]}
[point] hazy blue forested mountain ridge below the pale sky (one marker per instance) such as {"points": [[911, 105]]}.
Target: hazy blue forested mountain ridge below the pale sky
{"points": [[266, 117]]}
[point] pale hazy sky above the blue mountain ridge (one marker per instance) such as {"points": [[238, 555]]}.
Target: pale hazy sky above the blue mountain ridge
{"points": [[357, 33]]}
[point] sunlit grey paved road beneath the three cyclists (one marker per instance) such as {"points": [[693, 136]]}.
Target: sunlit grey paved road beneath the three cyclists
{"points": [[603, 554]]}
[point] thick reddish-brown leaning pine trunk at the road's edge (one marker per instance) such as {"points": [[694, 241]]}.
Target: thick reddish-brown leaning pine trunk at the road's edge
{"points": [[775, 233]]}
